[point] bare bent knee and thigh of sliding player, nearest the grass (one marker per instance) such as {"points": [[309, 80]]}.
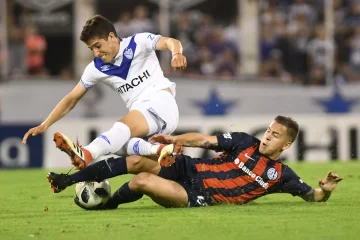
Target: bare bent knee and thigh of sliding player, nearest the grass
{"points": [[162, 191]]}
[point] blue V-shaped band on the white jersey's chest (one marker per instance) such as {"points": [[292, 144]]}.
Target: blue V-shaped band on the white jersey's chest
{"points": [[122, 70]]}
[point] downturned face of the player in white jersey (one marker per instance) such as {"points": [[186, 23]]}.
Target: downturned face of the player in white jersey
{"points": [[106, 49]]}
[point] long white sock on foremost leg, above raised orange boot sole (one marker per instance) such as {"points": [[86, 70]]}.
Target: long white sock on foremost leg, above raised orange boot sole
{"points": [[110, 141]]}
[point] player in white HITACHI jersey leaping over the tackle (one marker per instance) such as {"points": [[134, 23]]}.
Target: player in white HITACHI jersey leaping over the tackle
{"points": [[131, 68]]}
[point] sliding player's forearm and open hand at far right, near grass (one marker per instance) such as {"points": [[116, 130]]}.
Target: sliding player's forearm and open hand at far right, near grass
{"points": [[326, 186]]}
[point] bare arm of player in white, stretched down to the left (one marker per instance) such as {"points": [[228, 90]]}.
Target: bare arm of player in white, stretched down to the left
{"points": [[61, 109]]}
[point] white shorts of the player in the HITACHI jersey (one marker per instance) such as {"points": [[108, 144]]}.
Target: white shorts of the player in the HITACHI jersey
{"points": [[160, 111]]}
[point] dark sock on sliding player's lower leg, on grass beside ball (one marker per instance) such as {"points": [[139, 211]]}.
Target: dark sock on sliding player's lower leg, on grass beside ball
{"points": [[123, 195]]}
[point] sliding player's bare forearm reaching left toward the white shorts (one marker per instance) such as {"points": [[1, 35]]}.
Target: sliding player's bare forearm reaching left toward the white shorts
{"points": [[188, 140]]}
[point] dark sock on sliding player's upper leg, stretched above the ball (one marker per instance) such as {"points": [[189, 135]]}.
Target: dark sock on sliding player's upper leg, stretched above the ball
{"points": [[99, 171]]}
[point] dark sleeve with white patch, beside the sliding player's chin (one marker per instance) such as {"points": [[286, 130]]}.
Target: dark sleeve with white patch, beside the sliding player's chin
{"points": [[229, 141]]}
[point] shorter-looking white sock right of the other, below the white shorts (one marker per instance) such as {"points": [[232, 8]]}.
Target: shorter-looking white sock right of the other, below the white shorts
{"points": [[138, 146]]}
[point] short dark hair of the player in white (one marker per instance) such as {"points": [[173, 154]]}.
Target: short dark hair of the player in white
{"points": [[97, 26]]}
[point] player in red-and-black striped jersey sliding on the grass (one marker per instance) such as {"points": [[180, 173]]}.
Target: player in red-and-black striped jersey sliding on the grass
{"points": [[248, 169]]}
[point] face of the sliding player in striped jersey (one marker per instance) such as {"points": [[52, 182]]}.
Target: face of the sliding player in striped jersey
{"points": [[274, 141]]}
